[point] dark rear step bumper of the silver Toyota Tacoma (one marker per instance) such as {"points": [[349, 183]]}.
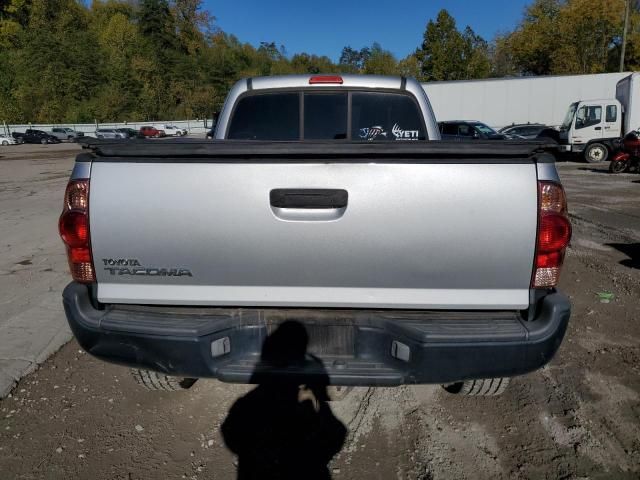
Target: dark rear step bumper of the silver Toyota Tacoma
{"points": [[347, 347]]}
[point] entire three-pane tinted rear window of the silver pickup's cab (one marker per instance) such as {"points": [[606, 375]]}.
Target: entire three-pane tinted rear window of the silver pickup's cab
{"points": [[374, 116]]}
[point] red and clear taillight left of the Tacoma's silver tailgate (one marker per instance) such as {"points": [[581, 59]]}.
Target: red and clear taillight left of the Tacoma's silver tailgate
{"points": [[74, 230]]}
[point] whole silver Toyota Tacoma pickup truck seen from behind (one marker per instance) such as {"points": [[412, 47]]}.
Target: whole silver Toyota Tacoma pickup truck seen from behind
{"points": [[330, 203]]}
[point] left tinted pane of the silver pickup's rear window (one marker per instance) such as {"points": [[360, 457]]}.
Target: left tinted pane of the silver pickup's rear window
{"points": [[269, 116]]}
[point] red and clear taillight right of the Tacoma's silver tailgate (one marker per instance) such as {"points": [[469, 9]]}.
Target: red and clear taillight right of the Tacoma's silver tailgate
{"points": [[554, 233]]}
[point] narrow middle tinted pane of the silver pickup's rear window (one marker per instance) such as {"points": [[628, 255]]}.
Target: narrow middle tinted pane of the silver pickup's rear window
{"points": [[325, 116]]}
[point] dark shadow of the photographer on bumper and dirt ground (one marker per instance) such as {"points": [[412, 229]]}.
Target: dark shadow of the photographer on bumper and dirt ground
{"points": [[284, 428]]}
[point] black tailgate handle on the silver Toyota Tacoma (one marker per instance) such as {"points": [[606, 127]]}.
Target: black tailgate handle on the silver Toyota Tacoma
{"points": [[308, 198]]}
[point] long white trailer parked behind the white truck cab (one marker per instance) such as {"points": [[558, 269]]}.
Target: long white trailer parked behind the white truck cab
{"points": [[499, 102]]}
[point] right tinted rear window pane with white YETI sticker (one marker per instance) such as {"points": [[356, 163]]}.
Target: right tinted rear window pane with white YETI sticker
{"points": [[385, 116]]}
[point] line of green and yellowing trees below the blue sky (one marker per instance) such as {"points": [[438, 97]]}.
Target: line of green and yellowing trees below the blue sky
{"points": [[115, 60]]}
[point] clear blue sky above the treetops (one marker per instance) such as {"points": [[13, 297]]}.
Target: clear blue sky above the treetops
{"points": [[324, 27]]}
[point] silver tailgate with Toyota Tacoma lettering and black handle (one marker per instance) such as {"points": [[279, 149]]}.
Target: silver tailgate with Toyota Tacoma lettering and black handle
{"points": [[441, 235]]}
